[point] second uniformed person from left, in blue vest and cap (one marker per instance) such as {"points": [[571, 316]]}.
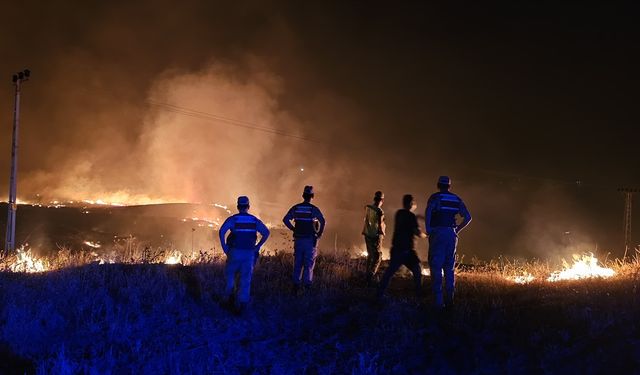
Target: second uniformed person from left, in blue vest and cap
{"points": [[307, 223]]}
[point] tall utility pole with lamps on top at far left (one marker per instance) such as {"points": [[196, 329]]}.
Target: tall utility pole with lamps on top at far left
{"points": [[10, 238]]}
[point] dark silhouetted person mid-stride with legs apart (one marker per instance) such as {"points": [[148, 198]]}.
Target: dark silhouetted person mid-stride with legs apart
{"points": [[403, 249]]}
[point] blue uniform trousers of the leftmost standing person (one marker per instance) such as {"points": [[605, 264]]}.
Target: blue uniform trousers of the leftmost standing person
{"points": [[240, 262]]}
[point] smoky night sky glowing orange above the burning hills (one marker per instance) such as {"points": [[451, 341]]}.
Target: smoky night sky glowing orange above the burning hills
{"points": [[530, 106]]}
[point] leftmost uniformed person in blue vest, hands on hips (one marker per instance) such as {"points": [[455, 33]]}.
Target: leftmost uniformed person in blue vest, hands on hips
{"points": [[241, 250]]}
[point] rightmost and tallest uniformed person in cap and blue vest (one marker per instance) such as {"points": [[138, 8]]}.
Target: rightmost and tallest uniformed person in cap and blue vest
{"points": [[442, 228]]}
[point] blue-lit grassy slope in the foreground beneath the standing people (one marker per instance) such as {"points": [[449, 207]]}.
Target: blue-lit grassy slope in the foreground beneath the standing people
{"points": [[168, 319]]}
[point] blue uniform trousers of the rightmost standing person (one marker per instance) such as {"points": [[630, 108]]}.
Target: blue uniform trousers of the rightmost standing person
{"points": [[442, 254]]}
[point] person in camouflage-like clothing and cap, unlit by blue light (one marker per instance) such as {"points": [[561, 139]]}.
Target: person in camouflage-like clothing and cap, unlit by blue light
{"points": [[373, 232]]}
